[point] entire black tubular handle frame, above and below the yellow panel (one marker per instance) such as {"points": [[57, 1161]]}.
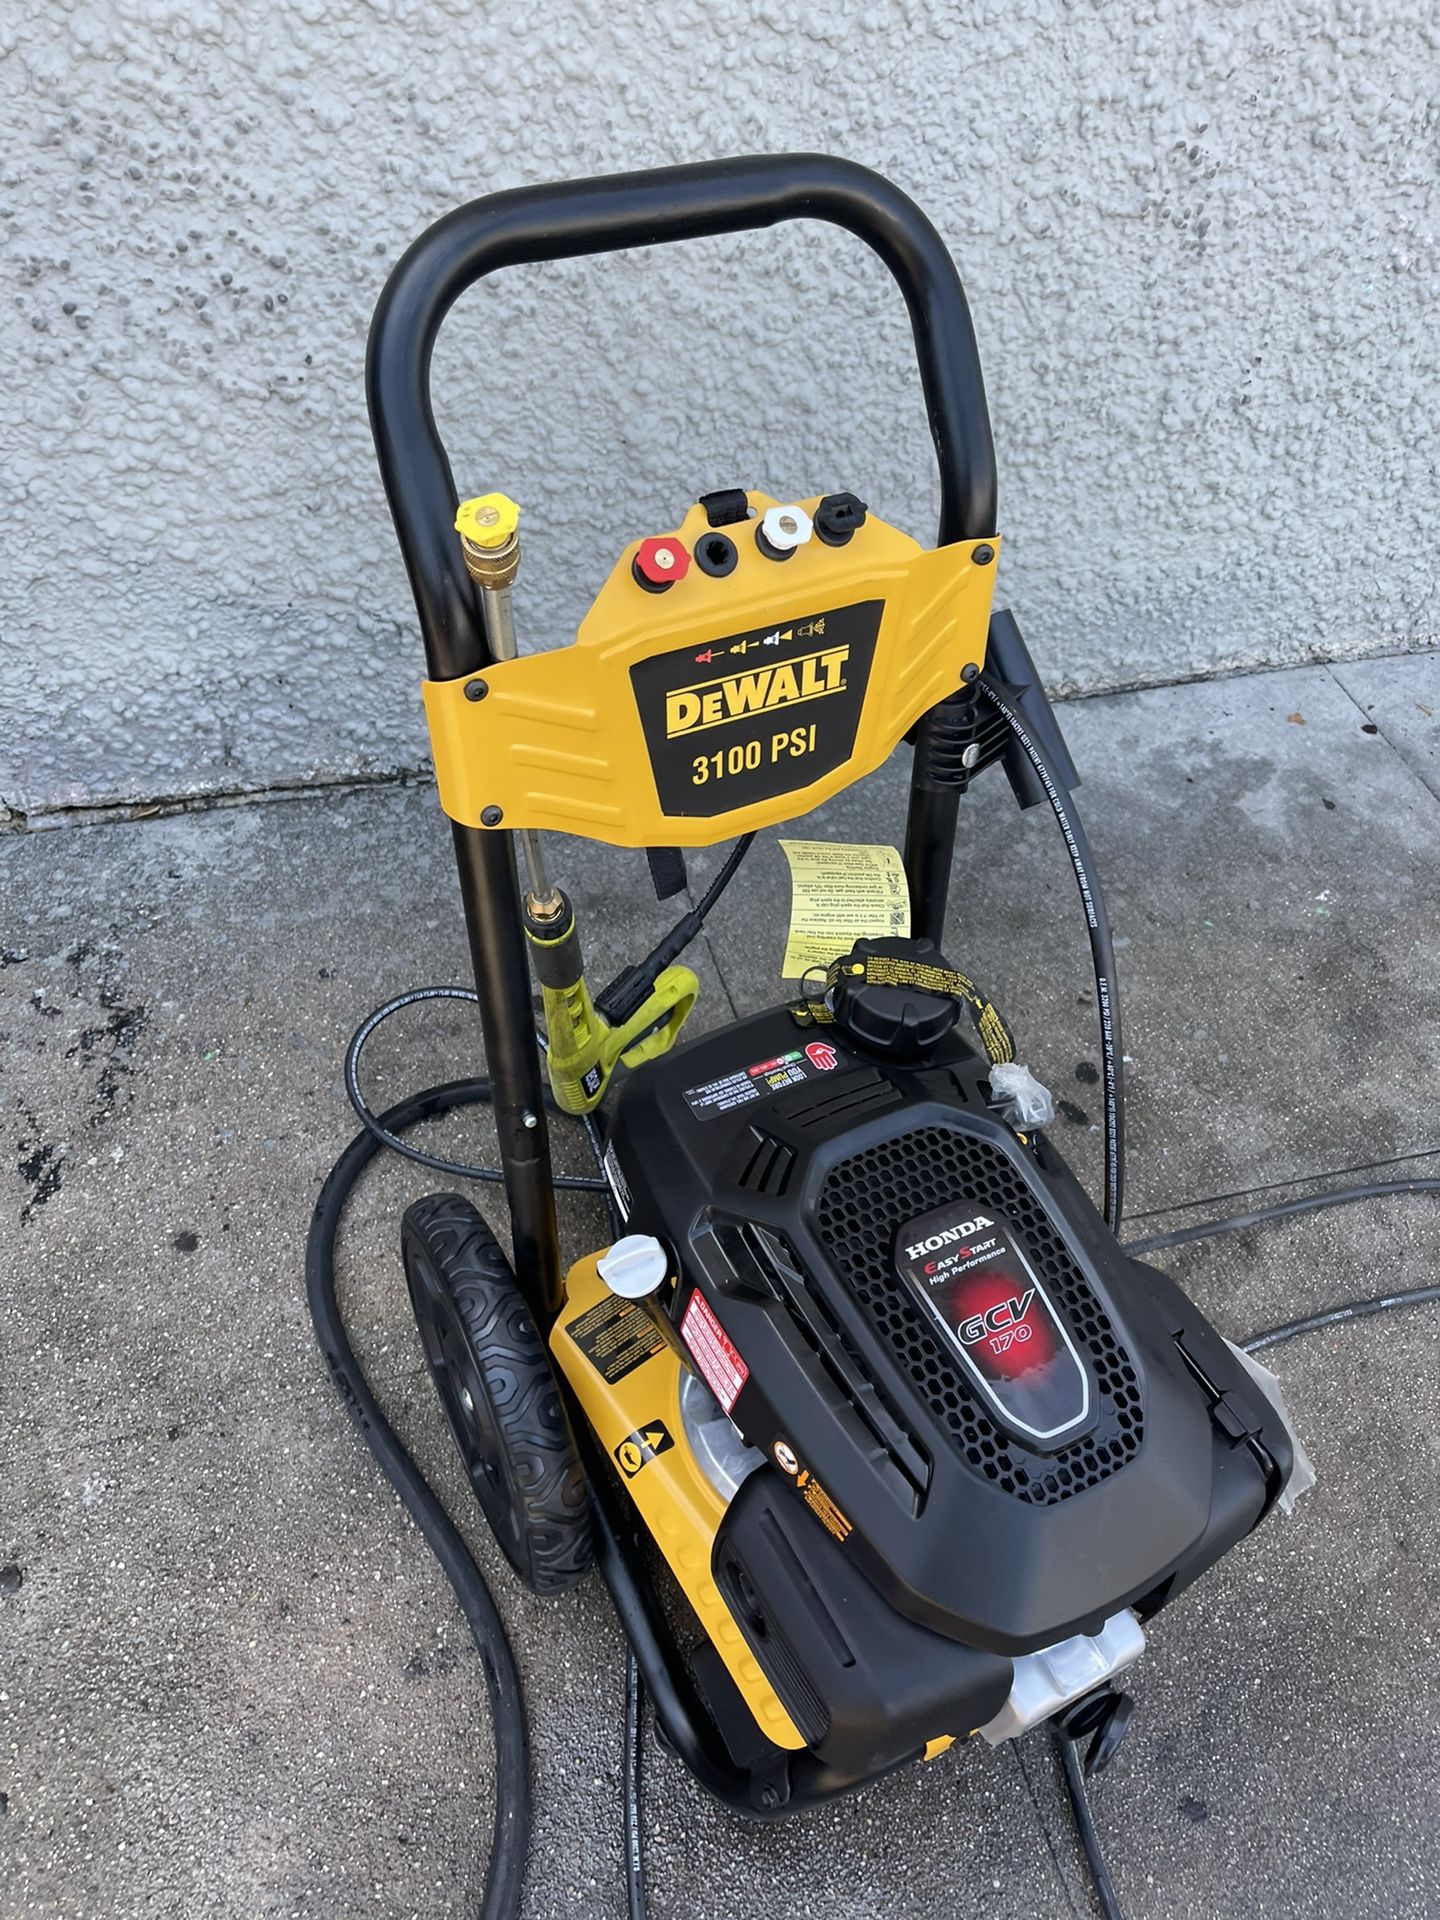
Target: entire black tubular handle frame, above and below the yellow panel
{"points": [[565, 222]]}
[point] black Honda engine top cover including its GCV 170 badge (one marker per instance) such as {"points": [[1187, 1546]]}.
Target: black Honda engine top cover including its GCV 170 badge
{"points": [[961, 1383]]}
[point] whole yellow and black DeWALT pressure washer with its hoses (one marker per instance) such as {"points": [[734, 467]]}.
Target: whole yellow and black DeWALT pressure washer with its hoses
{"points": [[876, 1433]]}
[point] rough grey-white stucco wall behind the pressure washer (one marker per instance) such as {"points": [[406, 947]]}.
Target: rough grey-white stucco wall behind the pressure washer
{"points": [[1199, 243]]}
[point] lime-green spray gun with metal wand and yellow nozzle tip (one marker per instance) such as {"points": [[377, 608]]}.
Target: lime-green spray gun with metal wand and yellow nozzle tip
{"points": [[585, 1042]]}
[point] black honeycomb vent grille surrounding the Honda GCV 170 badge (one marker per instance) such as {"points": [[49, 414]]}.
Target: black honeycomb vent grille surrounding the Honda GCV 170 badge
{"points": [[863, 1205]]}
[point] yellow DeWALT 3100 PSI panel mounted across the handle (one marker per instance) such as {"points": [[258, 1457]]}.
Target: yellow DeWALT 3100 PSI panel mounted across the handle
{"points": [[723, 704]]}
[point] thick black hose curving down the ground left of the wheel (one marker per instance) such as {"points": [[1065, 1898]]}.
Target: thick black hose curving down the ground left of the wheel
{"points": [[512, 1737]]}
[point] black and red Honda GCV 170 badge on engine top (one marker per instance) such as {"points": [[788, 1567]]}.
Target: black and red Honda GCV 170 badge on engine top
{"points": [[978, 1287]]}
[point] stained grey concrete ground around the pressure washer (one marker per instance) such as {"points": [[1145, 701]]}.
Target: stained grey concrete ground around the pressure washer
{"points": [[231, 1679]]}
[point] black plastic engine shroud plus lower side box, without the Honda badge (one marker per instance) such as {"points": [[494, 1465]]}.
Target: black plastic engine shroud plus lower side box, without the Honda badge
{"points": [[784, 1166]]}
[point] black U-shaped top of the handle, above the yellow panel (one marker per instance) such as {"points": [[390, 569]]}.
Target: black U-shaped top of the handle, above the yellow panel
{"points": [[627, 210]]}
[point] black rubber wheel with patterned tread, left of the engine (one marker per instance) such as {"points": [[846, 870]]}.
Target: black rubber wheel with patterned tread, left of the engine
{"points": [[498, 1393]]}
